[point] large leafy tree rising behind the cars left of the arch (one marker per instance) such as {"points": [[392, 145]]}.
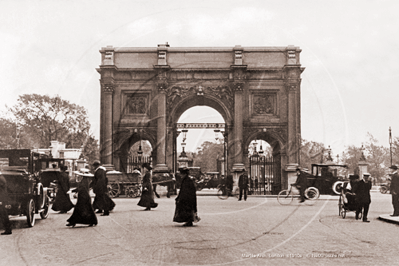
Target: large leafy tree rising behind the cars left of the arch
{"points": [[51, 118]]}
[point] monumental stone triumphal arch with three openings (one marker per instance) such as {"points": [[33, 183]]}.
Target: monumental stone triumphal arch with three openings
{"points": [[256, 90]]}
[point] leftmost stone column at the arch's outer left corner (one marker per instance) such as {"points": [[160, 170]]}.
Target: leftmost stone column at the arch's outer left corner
{"points": [[106, 124]]}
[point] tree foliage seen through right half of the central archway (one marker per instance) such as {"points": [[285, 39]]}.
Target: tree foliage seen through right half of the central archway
{"points": [[206, 156]]}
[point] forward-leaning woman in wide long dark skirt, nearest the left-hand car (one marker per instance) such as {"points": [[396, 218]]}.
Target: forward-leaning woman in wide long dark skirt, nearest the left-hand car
{"points": [[83, 212]]}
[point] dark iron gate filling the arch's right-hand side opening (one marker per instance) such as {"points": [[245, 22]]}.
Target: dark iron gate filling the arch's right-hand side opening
{"points": [[264, 175]]}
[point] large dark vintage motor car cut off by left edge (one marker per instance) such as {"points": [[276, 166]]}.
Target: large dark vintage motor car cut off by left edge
{"points": [[27, 195]]}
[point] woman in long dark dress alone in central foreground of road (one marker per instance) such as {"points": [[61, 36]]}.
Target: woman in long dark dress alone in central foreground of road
{"points": [[186, 201]]}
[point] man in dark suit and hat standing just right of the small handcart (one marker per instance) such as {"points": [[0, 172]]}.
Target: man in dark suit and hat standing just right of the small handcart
{"points": [[363, 199]]}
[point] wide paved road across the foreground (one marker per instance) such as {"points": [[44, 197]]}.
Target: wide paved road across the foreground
{"points": [[258, 231]]}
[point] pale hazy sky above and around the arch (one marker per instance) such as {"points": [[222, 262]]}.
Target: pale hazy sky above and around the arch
{"points": [[349, 86]]}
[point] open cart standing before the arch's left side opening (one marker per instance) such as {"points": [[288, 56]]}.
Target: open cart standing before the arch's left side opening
{"points": [[128, 184]]}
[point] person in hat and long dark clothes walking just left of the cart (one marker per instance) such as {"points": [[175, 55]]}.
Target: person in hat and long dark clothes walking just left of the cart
{"points": [[102, 201]]}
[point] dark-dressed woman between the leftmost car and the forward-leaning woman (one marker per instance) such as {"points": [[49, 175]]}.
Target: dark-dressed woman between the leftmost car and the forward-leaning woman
{"points": [[62, 201]]}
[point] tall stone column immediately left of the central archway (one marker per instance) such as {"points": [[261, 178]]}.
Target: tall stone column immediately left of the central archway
{"points": [[161, 131]]}
